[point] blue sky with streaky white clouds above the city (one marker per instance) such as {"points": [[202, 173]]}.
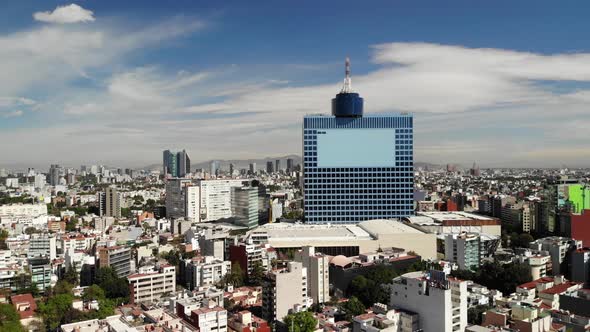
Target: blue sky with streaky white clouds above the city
{"points": [[501, 83]]}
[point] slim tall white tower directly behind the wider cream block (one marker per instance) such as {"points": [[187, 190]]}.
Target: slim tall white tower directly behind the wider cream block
{"points": [[318, 273]]}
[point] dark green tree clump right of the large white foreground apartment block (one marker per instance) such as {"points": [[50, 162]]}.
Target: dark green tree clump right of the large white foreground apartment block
{"points": [[494, 275]]}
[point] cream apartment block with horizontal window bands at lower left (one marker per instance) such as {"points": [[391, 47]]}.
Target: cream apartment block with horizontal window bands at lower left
{"points": [[149, 285]]}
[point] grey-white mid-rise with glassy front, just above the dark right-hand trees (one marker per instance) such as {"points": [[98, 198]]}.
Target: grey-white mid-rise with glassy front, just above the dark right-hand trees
{"points": [[463, 249]]}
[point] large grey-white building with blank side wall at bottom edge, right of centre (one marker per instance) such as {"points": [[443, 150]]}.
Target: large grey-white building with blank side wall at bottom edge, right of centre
{"points": [[441, 303]]}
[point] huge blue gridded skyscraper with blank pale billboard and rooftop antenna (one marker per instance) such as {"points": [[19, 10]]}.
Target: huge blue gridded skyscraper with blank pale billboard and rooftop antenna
{"points": [[357, 167]]}
